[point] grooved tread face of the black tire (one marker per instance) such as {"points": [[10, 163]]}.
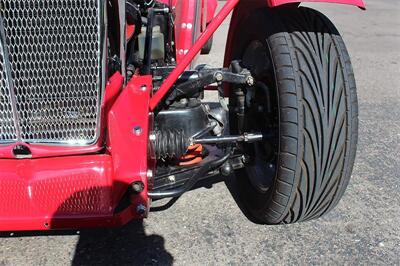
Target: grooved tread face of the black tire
{"points": [[313, 67]]}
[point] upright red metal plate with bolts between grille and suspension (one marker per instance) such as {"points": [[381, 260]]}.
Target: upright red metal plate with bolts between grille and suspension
{"points": [[128, 133]]}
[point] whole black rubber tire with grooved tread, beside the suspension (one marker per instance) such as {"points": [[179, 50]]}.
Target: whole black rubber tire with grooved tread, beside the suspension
{"points": [[317, 112]]}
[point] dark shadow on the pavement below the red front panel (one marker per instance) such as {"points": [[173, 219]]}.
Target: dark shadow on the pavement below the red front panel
{"points": [[124, 246]]}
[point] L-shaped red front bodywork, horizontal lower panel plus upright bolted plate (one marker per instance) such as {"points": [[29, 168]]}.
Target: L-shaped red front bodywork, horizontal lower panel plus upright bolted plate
{"points": [[75, 192]]}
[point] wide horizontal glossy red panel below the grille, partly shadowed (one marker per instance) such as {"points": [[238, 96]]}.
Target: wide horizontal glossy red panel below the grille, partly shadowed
{"points": [[34, 192]]}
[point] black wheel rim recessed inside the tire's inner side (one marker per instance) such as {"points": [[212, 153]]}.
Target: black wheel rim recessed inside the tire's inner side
{"points": [[262, 115]]}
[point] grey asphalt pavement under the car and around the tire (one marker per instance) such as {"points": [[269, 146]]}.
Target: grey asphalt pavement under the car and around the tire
{"points": [[206, 227]]}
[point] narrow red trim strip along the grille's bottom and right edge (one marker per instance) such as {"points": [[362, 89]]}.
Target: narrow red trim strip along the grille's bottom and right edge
{"points": [[114, 85]]}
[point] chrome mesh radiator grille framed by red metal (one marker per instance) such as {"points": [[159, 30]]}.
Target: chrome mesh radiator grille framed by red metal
{"points": [[51, 71]]}
